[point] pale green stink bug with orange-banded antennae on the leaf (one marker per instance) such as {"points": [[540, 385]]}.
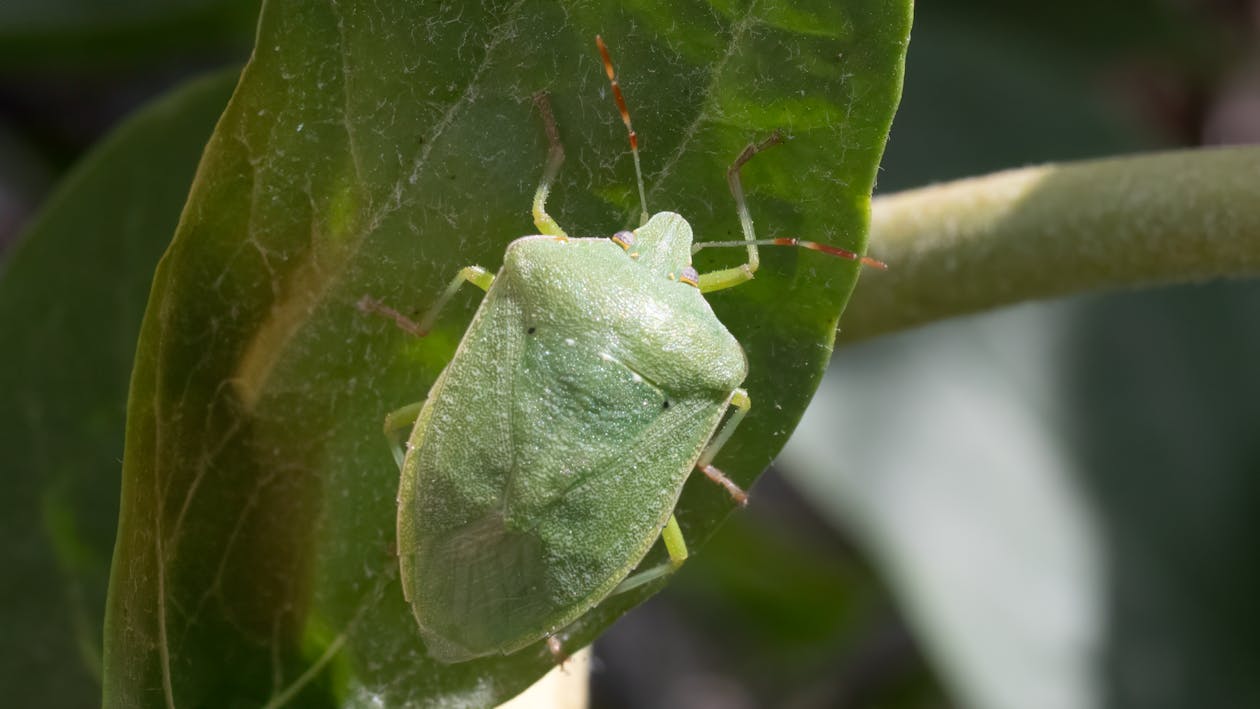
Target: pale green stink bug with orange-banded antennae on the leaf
{"points": [[551, 453]]}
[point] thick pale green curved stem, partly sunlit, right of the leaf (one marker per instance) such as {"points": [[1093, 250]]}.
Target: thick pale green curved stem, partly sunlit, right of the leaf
{"points": [[1059, 230]]}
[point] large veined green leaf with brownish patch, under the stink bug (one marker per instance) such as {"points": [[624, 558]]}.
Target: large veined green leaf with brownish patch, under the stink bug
{"points": [[375, 150]]}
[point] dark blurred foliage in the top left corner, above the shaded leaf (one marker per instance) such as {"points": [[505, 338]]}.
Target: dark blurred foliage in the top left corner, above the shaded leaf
{"points": [[72, 70]]}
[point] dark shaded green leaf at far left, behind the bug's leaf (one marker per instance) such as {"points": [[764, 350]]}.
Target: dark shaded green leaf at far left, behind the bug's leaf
{"points": [[71, 303]]}
